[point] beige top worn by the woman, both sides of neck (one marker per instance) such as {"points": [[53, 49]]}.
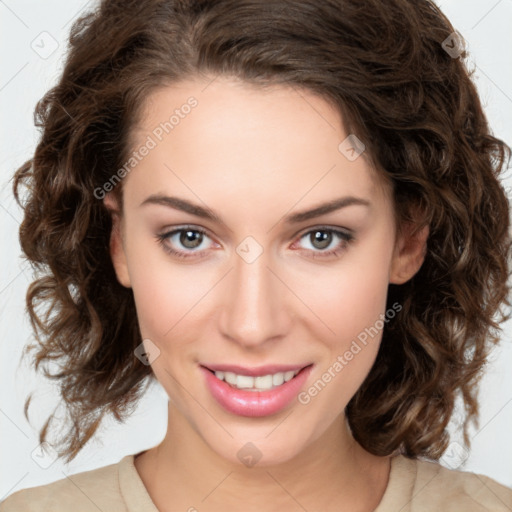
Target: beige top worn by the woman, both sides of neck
{"points": [[413, 486]]}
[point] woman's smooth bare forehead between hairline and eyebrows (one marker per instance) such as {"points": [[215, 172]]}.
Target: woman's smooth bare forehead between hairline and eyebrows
{"points": [[237, 137]]}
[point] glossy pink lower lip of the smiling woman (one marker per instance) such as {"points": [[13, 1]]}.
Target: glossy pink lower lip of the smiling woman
{"points": [[255, 403]]}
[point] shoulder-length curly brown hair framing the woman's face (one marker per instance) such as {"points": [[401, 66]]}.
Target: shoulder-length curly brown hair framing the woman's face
{"points": [[415, 106]]}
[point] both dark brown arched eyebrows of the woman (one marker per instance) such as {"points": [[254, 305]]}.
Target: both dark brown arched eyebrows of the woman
{"points": [[206, 213]]}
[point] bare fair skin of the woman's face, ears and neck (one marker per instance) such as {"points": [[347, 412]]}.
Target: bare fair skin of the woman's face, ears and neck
{"points": [[252, 156]]}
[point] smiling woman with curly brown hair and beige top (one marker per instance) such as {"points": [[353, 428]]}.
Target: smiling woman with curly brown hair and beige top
{"points": [[288, 213]]}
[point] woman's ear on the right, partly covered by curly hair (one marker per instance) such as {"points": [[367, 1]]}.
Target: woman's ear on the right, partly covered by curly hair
{"points": [[409, 253]]}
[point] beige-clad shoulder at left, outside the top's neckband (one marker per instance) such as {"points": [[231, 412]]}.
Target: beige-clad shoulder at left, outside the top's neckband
{"points": [[88, 491]]}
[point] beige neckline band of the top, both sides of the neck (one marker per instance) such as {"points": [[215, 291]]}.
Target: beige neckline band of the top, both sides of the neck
{"points": [[398, 493]]}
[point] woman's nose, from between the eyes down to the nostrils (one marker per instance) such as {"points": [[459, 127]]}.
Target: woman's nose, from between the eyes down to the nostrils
{"points": [[254, 309]]}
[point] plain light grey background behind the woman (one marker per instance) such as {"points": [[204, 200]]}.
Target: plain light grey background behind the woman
{"points": [[27, 72]]}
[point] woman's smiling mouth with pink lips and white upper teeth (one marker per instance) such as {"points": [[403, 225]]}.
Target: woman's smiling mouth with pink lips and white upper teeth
{"points": [[266, 393]]}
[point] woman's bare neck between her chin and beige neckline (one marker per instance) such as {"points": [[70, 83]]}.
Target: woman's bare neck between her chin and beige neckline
{"points": [[333, 473]]}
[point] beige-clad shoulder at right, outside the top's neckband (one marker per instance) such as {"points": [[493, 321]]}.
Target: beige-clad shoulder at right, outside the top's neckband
{"points": [[435, 487]]}
